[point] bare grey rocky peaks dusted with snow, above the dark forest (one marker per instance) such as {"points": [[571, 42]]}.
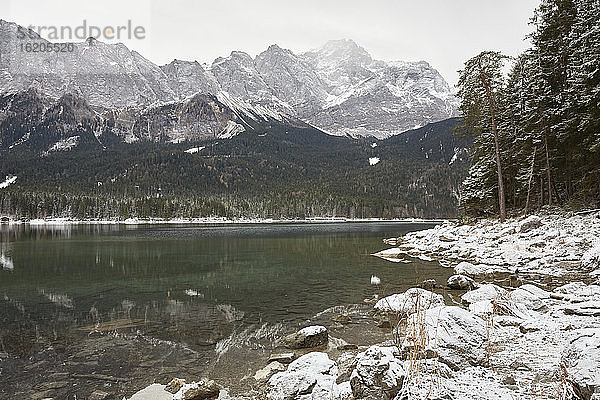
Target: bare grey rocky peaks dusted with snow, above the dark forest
{"points": [[338, 88]]}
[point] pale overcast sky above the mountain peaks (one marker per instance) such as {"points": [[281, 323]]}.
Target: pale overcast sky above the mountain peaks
{"points": [[443, 32]]}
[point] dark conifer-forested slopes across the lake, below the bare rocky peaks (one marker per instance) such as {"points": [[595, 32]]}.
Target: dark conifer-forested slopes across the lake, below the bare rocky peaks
{"points": [[273, 171]]}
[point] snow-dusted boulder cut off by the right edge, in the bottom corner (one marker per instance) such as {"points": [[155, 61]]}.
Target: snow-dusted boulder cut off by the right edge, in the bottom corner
{"points": [[582, 360]]}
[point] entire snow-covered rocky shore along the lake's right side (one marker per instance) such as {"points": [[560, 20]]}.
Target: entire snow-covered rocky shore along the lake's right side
{"points": [[532, 341]]}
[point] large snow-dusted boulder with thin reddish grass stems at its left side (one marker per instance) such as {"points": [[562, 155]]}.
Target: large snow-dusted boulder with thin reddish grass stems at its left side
{"points": [[452, 334]]}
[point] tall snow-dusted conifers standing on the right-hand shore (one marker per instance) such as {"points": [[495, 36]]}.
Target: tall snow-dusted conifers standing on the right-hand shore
{"points": [[536, 130]]}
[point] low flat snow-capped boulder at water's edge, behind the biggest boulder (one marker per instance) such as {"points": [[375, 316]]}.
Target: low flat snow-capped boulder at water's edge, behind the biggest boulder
{"points": [[411, 301]]}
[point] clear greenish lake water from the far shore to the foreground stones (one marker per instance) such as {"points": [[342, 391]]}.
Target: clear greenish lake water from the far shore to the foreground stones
{"points": [[153, 302]]}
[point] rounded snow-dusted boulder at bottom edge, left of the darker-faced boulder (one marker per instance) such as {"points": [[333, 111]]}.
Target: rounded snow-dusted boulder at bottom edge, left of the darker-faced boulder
{"points": [[310, 377]]}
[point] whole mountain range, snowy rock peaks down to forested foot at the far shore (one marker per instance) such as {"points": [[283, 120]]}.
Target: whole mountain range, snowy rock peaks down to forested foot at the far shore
{"points": [[98, 131]]}
